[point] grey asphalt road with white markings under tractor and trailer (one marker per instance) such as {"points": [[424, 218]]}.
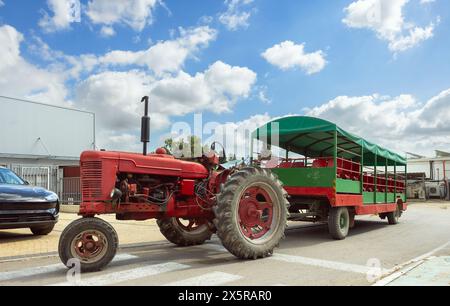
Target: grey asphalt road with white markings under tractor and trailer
{"points": [[374, 253]]}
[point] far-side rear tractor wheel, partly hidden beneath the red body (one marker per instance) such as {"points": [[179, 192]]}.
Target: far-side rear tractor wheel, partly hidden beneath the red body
{"points": [[184, 232]]}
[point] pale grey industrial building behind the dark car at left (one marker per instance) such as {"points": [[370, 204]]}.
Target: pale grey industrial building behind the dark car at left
{"points": [[42, 143]]}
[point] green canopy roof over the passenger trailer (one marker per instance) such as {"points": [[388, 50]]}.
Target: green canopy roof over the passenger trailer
{"points": [[314, 137]]}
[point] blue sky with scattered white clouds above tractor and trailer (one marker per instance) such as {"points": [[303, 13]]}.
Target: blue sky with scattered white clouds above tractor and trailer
{"points": [[389, 74]]}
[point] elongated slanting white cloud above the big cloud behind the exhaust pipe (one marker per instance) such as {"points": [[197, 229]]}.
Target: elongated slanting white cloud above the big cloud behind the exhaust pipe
{"points": [[165, 56]]}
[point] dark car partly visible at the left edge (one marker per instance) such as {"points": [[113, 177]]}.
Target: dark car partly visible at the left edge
{"points": [[25, 206]]}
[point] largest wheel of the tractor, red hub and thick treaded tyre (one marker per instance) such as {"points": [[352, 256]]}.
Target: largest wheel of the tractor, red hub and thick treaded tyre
{"points": [[251, 213]]}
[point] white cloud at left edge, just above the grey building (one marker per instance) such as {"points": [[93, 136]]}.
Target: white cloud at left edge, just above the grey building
{"points": [[19, 78]]}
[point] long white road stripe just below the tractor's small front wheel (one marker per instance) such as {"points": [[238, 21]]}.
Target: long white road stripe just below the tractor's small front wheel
{"points": [[127, 275]]}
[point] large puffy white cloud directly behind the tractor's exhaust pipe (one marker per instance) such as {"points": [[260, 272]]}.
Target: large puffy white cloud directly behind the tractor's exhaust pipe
{"points": [[115, 96]]}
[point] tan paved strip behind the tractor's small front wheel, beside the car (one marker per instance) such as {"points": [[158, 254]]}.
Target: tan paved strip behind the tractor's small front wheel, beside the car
{"points": [[22, 243]]}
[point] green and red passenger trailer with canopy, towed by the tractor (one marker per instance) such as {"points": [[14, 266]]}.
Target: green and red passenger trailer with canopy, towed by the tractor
{"points": [[332, 175]]}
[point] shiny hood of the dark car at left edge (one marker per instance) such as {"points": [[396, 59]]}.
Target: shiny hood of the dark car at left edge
{"points": [[24, 193]]}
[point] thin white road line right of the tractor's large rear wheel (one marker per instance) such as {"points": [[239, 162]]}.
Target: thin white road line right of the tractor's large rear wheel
{"points": [[334, 265]]}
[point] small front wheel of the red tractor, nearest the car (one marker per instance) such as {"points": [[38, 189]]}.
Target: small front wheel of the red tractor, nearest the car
{"points": [[92, 241]]}
